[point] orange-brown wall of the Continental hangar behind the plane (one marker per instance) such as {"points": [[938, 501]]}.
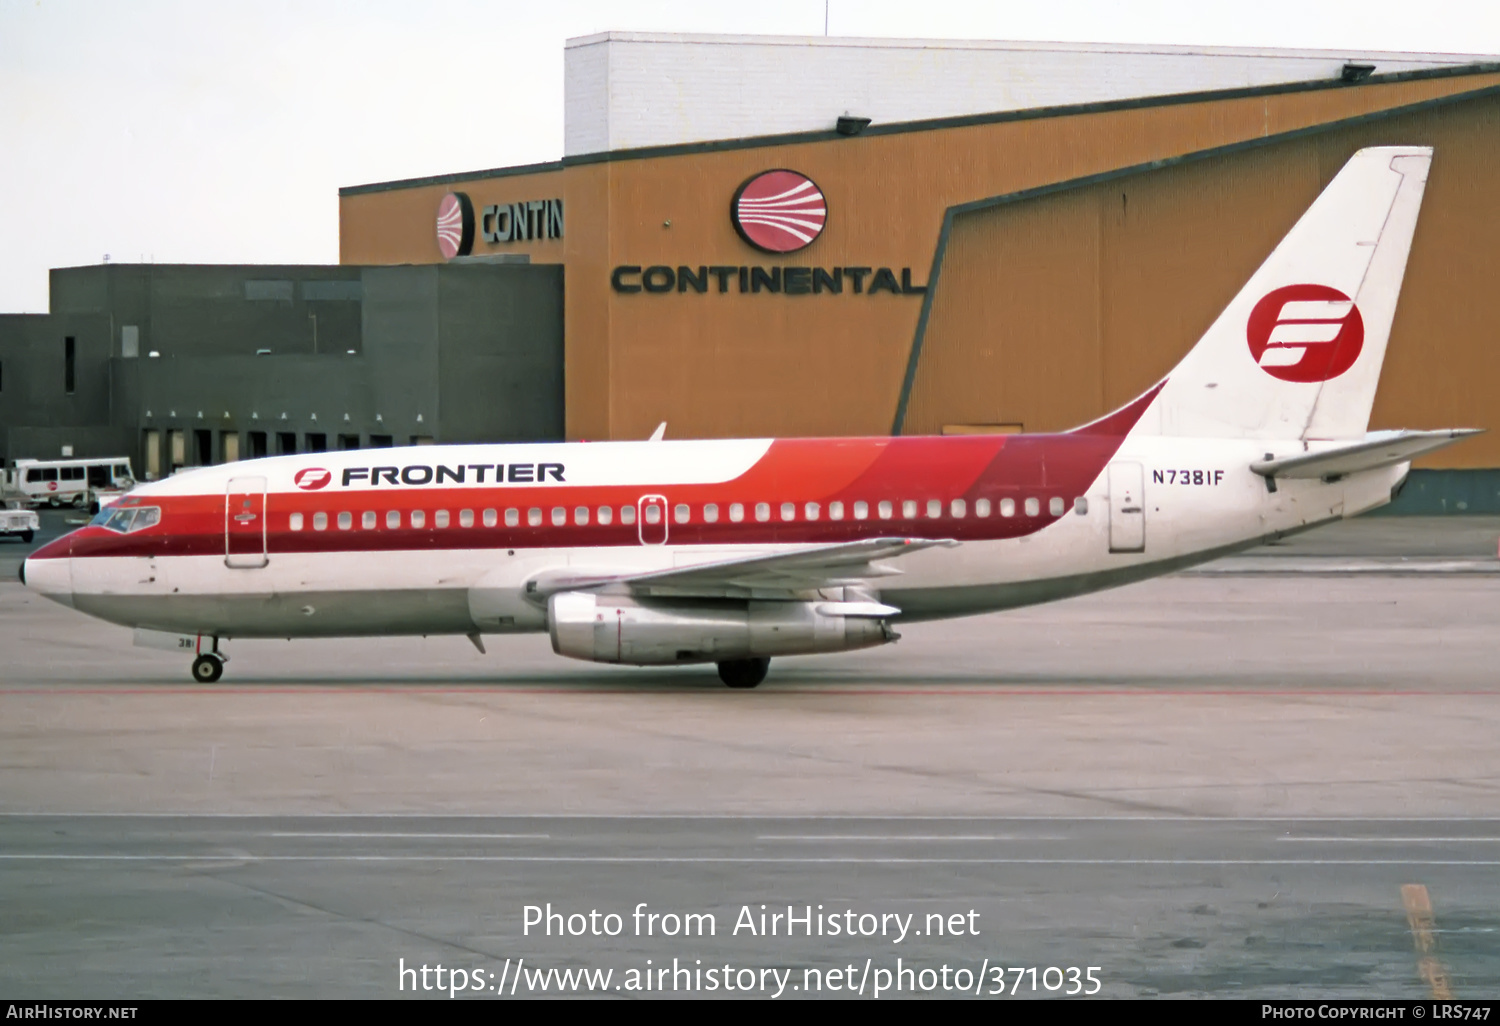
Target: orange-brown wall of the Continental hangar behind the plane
{"points": [[724, 365]]}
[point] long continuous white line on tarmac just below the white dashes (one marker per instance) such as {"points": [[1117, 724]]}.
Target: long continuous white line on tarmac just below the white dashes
{"points": [[740, 860]]}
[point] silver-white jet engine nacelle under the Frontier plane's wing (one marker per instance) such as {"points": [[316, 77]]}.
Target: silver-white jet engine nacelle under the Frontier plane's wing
{"points": [[616, 629]]}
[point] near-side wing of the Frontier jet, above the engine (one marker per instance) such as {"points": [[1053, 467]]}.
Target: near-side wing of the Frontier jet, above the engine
{"points": [[823, 566]]}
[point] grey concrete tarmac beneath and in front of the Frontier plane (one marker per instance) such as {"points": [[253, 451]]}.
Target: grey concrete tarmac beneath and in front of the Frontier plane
{"points": [[1273, 778]]}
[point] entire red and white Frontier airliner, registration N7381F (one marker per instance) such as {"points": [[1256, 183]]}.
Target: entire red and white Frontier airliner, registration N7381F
{"points": [[734, 553]]}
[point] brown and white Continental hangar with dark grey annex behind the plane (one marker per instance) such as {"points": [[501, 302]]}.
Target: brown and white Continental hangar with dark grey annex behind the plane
{"points": [[808, 236]]}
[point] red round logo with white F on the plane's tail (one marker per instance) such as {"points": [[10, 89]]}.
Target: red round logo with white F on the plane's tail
{"points": [[1306, 334]]}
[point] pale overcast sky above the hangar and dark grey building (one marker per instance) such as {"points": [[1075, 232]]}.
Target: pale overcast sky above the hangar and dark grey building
{"points": [[220, 131]]}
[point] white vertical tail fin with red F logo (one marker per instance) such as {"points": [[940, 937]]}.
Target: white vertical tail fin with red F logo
{"points": [[1298, 353]]}
